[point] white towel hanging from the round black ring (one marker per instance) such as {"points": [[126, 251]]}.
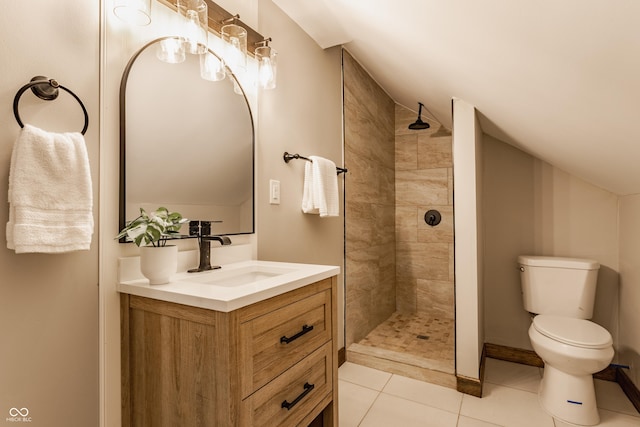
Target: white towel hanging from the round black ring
{"points": [[50, 195]]}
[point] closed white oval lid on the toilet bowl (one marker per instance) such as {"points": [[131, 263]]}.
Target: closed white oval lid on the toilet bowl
{"points": [[576, 332]]}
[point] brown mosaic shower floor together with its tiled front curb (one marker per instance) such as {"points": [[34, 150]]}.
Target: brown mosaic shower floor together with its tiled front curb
{"points": [[413, 344]]}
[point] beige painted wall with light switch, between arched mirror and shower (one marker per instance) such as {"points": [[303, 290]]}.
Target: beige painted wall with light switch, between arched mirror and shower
{"points": [[302, 115]]}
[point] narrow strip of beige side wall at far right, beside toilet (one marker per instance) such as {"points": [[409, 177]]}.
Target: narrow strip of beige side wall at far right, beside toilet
{"points": [[629, 238]]}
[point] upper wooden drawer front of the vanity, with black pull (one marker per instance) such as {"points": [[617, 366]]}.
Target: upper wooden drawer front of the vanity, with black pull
{"points": [[275, 341]]}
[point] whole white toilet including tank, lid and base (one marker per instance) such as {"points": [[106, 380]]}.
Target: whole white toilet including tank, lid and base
{"points": [[560, 292]]}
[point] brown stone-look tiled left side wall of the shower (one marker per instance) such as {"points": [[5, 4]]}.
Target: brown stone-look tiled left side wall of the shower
{"points": [[370, 202]]}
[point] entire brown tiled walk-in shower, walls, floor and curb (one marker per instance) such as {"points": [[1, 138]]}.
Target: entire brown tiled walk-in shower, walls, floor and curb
{"points": [[399, 279]]}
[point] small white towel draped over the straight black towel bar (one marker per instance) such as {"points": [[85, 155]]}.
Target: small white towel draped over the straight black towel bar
{"points": [[320, 187]]}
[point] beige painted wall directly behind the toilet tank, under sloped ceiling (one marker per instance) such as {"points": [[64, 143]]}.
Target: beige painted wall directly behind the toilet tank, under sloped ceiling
{"points": [[530, 207]]}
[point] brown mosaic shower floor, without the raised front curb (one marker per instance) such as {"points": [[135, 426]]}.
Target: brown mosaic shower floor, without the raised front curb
{"points": [[415, 334]]}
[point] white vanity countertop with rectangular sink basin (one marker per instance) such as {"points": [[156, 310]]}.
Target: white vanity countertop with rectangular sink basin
{"points": [[233, 286]]}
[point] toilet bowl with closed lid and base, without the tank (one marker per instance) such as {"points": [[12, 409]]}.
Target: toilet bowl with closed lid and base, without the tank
{"points": [[572, 350]]}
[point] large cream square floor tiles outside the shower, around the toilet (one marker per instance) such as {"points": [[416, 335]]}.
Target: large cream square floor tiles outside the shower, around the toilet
{"points": [[372, 398]]}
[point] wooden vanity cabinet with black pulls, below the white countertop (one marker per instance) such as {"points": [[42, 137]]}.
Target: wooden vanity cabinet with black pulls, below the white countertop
{"points": [[272, 363]]}
